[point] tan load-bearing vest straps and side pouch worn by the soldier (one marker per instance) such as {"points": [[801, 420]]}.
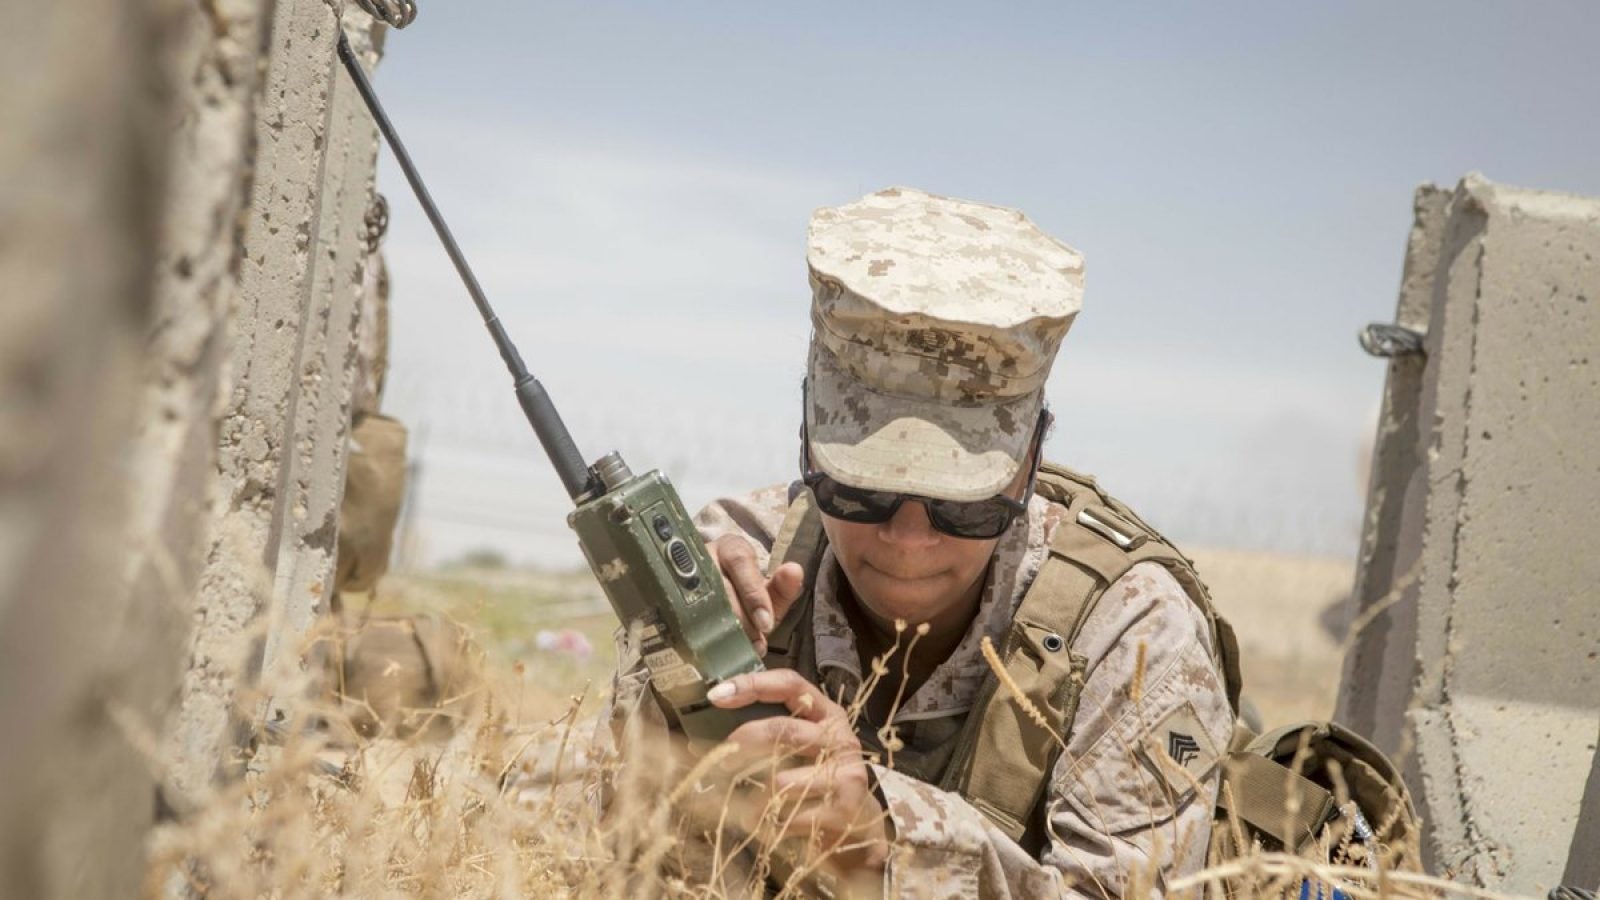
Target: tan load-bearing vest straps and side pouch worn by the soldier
{"points": [[1287, 790]]}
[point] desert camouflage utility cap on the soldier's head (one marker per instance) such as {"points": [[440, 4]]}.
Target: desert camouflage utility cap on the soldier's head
{"points": [[935, 324]]}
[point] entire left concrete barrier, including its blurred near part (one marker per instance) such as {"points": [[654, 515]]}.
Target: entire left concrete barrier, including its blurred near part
{"points": [[185, 191]]}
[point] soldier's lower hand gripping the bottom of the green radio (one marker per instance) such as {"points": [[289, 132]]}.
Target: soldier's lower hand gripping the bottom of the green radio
{"points": [[825, 797]]}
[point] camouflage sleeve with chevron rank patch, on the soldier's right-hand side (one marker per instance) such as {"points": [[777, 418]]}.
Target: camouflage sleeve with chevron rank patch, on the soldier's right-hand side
{"points": [[1130, 798]]}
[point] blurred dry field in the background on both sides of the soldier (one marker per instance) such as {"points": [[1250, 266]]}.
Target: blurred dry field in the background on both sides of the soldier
{"points": [[1286, 609]]}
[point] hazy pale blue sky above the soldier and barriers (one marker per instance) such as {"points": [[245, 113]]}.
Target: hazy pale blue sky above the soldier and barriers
{"points": [[633, 185]]}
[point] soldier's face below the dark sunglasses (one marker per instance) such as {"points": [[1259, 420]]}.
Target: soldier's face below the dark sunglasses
{"points": [[905, 569]]}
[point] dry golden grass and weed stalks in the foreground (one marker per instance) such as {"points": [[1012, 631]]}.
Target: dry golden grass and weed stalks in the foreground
{"points": [[492, 814]]}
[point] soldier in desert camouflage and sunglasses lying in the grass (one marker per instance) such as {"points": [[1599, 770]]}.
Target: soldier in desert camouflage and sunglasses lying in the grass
{"points": [[935, 324]]}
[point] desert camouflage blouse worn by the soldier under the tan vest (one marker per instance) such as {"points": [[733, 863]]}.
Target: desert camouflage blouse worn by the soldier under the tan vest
{"points": [[1124, 819]]}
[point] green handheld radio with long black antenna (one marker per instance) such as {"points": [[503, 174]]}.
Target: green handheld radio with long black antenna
{"points": [[633, 529]]}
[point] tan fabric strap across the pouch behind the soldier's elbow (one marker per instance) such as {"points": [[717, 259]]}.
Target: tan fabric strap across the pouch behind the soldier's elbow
{"points": [[1274, 800]]}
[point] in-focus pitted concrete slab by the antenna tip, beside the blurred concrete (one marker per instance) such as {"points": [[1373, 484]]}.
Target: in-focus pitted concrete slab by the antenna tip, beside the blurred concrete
{"points": [[286, 424]]}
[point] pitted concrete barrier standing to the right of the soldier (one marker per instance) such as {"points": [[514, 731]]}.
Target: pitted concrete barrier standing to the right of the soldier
{"points": [[1503, 685]]}
